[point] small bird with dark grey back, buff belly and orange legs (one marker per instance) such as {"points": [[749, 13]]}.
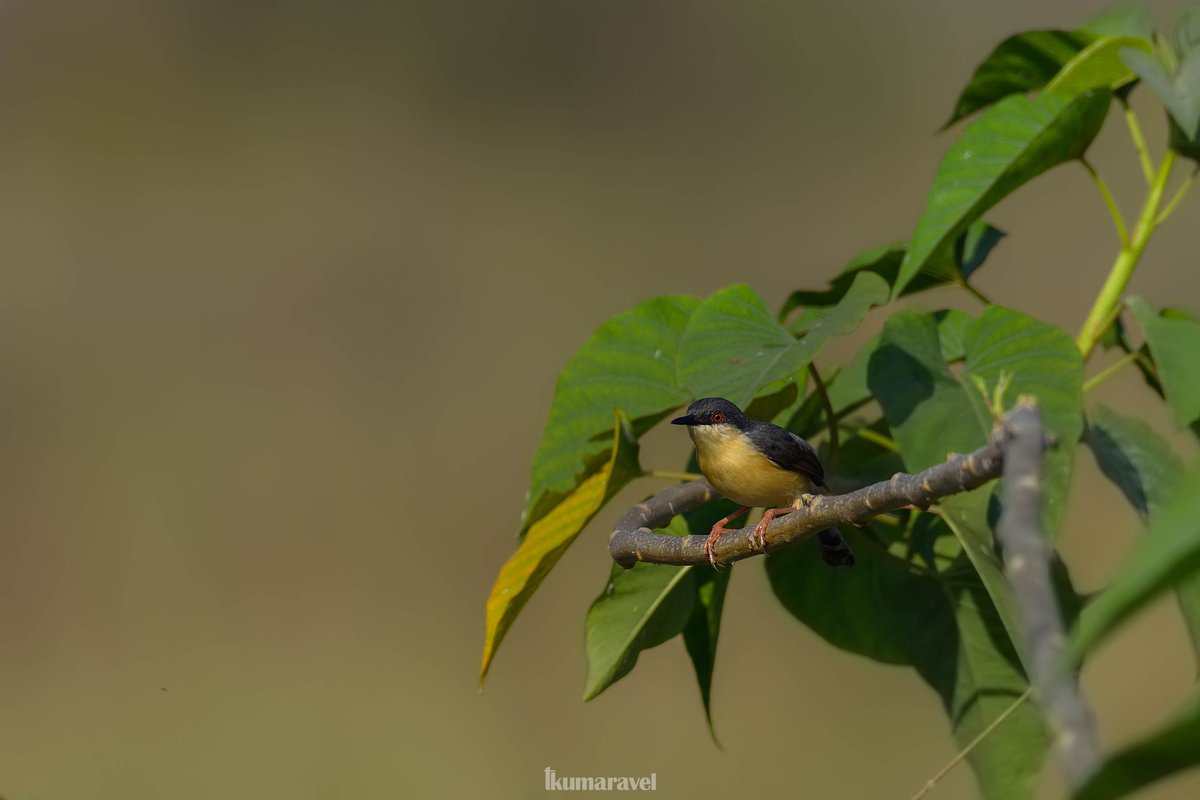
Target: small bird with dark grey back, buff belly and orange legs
{"points": [[758, 465]]}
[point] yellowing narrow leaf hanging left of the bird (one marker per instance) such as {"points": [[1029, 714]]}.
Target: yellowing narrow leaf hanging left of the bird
{"points": [[550, 537]]}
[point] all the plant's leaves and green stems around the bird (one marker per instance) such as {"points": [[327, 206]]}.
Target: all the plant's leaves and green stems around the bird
{"points": [[929, 592]]}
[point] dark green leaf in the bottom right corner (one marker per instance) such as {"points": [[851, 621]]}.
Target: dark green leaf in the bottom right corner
{"points": [[1171, 750]]}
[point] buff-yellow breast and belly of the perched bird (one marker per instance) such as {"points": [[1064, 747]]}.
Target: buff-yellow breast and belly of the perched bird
{"points": [[741, 473]]}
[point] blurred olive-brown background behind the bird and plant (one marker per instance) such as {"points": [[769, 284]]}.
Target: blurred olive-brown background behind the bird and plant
{"points": [[286, 290]]}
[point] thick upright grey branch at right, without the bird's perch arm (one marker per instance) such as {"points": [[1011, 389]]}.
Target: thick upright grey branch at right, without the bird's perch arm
{"points": [[1028, 557]]}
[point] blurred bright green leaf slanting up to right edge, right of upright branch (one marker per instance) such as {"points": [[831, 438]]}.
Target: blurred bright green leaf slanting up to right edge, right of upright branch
{"points": [[1168, 555]]}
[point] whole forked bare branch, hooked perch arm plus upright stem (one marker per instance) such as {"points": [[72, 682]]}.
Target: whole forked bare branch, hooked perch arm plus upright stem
{"points": [[1013, 453]]}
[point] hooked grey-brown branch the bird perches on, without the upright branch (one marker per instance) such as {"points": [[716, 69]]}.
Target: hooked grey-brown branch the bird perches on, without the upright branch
{"points": [[633, 540]]}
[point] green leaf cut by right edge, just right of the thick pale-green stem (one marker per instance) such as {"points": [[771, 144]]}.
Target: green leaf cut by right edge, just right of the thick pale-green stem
{"points": [[1174, 342]]}
